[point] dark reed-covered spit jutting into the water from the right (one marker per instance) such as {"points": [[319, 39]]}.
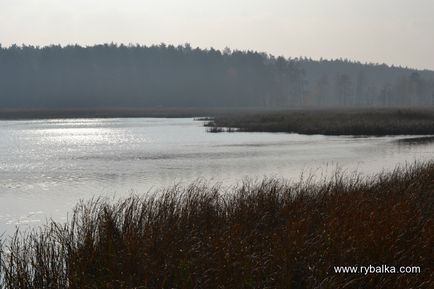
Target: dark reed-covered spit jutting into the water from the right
{"points": [[375, 122]]}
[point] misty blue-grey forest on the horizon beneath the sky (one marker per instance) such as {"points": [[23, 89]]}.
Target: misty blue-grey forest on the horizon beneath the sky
{"points": [[112, 75]]}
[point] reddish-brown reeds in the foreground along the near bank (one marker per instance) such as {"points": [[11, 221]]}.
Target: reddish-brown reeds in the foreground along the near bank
{"points": [[269, 234]]}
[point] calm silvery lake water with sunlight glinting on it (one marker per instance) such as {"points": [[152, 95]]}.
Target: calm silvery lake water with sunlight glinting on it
{"points": [[47, 165]]}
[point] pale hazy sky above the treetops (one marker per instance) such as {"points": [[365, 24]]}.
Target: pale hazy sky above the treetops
{"points": [[392, 31]]}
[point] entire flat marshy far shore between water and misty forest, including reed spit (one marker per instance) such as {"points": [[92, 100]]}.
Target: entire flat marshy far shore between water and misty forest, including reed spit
{"points": [[324, 121]]}
